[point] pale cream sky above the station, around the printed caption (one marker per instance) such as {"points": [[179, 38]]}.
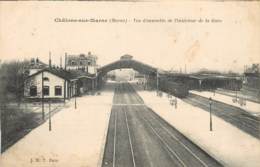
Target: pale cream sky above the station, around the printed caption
{"points": [[28, 29]]}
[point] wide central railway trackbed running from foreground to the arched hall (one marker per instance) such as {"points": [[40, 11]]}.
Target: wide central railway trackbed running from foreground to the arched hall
{"points": [[139, 137]]}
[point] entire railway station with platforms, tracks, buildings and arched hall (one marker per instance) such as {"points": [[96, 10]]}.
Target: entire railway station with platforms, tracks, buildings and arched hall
{"points": [[146, 116]]}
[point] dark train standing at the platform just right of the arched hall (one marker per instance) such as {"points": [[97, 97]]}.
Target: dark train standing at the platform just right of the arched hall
{"points": [[177, 89]]}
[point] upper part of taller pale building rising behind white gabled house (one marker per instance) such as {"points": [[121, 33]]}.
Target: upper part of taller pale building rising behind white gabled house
{"points": [[82, 62]]}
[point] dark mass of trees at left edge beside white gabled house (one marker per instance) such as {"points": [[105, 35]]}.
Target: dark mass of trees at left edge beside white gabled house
{"points": [[12, 77]]}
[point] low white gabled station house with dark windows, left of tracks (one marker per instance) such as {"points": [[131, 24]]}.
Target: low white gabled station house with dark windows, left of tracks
{"points": [[50, 83]]}
